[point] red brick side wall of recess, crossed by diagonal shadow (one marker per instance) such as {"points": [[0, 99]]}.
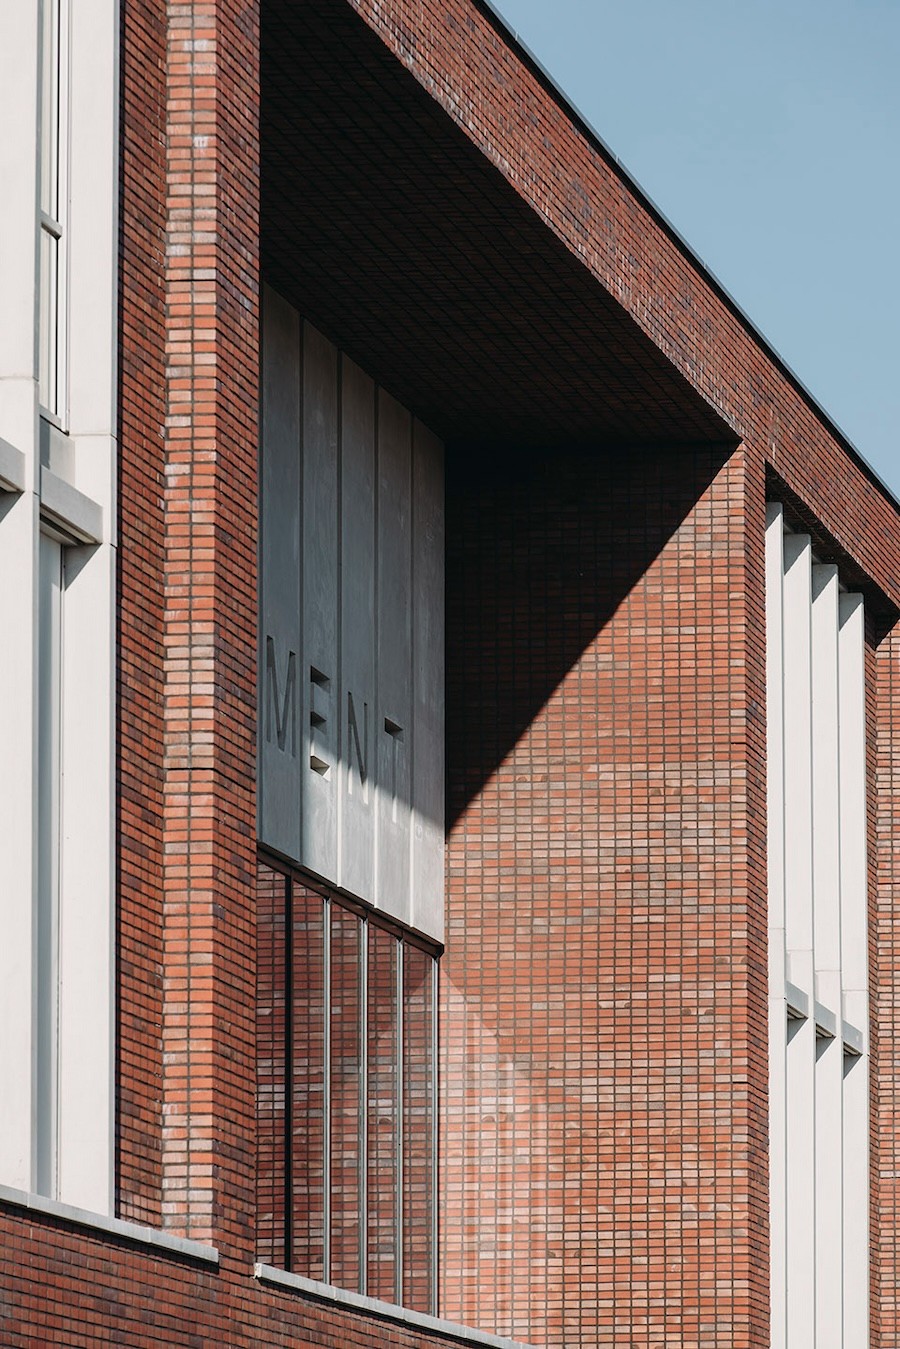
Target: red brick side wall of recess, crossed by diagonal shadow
{"points": [[605, 1029]]}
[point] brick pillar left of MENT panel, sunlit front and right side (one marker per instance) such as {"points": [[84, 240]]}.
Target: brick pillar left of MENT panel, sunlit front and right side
{"points": [[213, 250]]}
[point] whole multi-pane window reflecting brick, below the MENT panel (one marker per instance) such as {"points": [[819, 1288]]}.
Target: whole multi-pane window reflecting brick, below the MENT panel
{"points": [[347, 1095]]}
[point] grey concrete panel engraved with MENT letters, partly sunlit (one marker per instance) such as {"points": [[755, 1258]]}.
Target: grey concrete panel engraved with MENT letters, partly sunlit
{"points": [[351, 659]]}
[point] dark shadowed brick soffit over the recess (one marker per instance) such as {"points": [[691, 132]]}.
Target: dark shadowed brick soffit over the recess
{"points": [[396, 237]]}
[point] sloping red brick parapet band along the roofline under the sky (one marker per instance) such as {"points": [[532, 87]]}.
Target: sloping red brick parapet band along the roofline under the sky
{"points": [[458, 52]]}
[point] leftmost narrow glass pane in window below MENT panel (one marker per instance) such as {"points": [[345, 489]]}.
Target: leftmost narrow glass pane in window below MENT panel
{"points": [[272, 1065]]}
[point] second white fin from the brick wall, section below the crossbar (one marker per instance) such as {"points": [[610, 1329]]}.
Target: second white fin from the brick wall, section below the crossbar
{"points": [[801, 1185]]}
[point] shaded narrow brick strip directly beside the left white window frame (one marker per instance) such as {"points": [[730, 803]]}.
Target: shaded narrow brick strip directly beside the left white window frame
{"points": [[142, 416]]}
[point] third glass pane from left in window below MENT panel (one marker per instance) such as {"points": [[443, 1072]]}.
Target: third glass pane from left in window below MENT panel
{"points": [[346, 1097]]}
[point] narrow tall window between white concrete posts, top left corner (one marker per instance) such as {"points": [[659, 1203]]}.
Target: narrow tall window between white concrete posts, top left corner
{"points": [[52, 328]]}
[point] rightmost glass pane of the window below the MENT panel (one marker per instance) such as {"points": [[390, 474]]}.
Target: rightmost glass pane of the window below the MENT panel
{"points": [[419, 1128]]}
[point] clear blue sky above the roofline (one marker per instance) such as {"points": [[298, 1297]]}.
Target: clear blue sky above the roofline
{"points": [[768, 132]]}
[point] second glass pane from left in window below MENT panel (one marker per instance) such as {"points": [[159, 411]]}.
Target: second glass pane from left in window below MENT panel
{"points": [[307, 1238]]}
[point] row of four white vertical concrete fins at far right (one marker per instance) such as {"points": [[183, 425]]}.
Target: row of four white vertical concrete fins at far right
{"points": [[818, 923]]}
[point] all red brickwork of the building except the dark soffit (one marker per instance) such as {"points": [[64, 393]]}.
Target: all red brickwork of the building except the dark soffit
{"points": [[604, 1022]]}
